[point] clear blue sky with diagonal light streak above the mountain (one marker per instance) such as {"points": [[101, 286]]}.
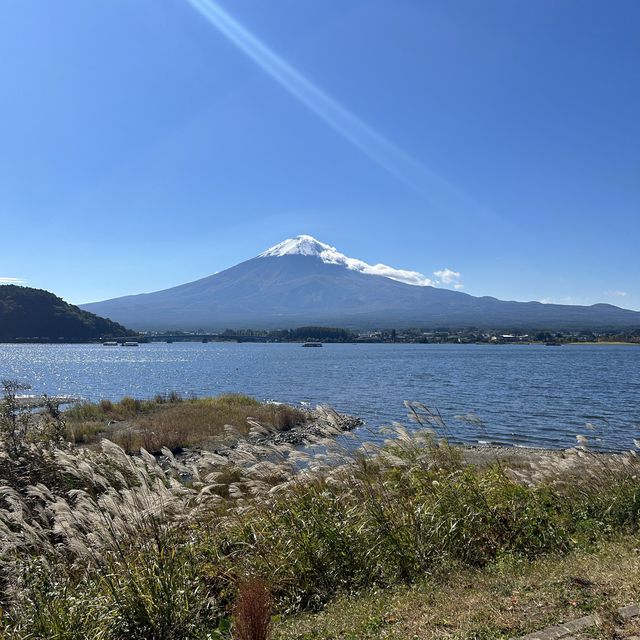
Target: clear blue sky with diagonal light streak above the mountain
{"points": [[142, 147]]}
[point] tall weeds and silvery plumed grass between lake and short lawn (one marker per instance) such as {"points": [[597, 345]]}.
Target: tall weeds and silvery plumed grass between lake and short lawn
{"points": [[108, 545]]}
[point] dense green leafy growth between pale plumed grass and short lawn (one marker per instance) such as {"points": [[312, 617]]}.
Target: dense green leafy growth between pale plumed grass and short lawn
{"points": [[380, 525]]}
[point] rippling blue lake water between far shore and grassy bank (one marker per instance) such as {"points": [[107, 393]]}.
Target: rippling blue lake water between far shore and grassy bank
{"points": [[526, 395]]}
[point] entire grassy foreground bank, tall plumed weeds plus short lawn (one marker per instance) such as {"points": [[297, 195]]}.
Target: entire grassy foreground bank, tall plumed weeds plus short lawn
{"points": [[402, 538]]}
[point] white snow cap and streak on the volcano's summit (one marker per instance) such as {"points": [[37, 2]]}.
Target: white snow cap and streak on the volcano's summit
{"points": [[308, 246]]}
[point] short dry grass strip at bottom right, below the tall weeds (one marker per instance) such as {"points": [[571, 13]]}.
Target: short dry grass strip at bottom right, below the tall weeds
{"points": [[506, 599]]}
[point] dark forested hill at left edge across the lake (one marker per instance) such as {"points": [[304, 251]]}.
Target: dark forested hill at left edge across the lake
{"points": [[27, 314]]}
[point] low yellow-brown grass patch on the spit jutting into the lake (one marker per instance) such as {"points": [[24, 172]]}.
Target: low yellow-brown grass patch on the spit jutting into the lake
{"points": [[176, 424]]}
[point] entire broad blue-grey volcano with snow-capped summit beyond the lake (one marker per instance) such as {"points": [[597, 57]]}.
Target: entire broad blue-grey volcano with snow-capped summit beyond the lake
{"points": [[302, 281]]}
